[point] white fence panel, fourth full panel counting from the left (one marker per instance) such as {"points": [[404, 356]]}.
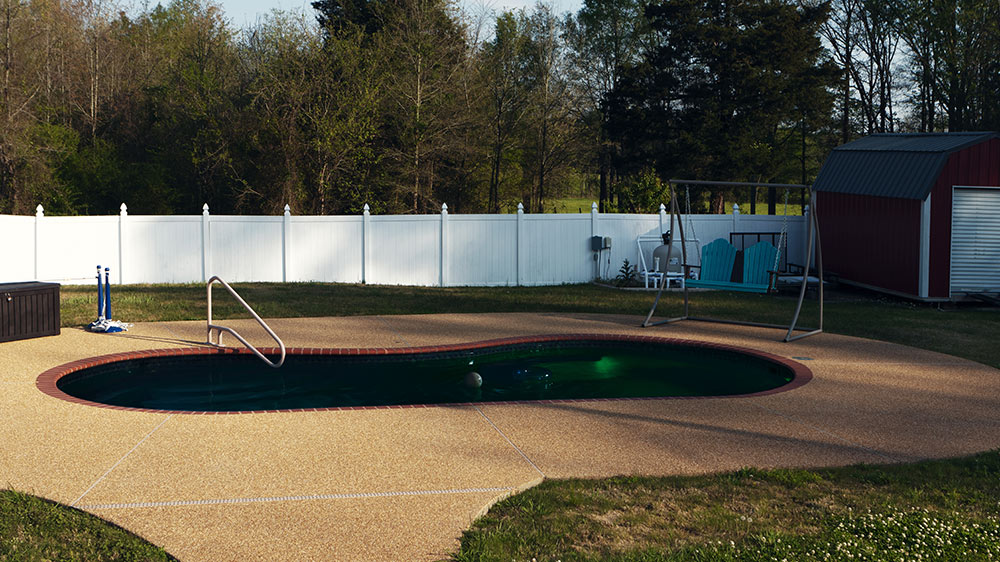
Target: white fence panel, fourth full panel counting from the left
{"points": [[326, 249]]}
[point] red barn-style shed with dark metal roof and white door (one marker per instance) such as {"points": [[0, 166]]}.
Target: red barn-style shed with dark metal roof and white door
{"points": [[916, 215]]}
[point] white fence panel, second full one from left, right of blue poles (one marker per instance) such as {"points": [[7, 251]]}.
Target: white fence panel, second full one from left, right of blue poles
{"points": [[162, 249]]}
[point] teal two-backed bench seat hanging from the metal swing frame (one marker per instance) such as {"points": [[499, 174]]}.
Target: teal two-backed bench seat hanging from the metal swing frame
{"points": [[717, 261]]}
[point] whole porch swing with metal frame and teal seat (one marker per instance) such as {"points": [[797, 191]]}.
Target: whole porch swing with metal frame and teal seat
{"points": [[718, 260]]}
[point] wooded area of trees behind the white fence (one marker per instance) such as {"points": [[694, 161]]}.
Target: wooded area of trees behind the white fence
{"points": [[407, 104]]}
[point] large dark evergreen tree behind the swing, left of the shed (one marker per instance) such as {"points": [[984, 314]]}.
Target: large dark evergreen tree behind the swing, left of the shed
{"points": [[722, 94]]}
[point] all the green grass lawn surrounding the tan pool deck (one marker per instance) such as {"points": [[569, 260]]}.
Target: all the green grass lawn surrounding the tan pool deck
{"points": [[940, 510]]}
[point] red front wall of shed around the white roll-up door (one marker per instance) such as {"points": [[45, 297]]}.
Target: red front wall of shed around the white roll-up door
{"points": [[975, 165]]}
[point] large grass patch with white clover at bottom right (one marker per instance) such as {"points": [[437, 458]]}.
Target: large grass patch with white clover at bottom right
{"points": [[934, 510]]}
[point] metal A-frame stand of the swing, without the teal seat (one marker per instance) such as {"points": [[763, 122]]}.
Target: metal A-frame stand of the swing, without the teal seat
{"points": [[814, 249]]}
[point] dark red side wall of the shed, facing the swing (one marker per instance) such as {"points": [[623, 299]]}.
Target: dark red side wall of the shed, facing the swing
{"points": [[870, 240]]}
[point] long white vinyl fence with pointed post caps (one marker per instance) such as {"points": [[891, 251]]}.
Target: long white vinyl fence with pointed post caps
{"points": [[428, 250]]}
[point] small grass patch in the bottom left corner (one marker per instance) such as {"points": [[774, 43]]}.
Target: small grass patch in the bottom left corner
{"points": [[32, 529]]}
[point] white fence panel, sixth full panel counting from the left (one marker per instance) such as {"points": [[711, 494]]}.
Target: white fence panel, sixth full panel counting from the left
{"points": [[482, 250]]}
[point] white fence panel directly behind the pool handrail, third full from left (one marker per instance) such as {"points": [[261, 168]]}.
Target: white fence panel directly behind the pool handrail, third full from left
{"points": [[245, 249]]}
